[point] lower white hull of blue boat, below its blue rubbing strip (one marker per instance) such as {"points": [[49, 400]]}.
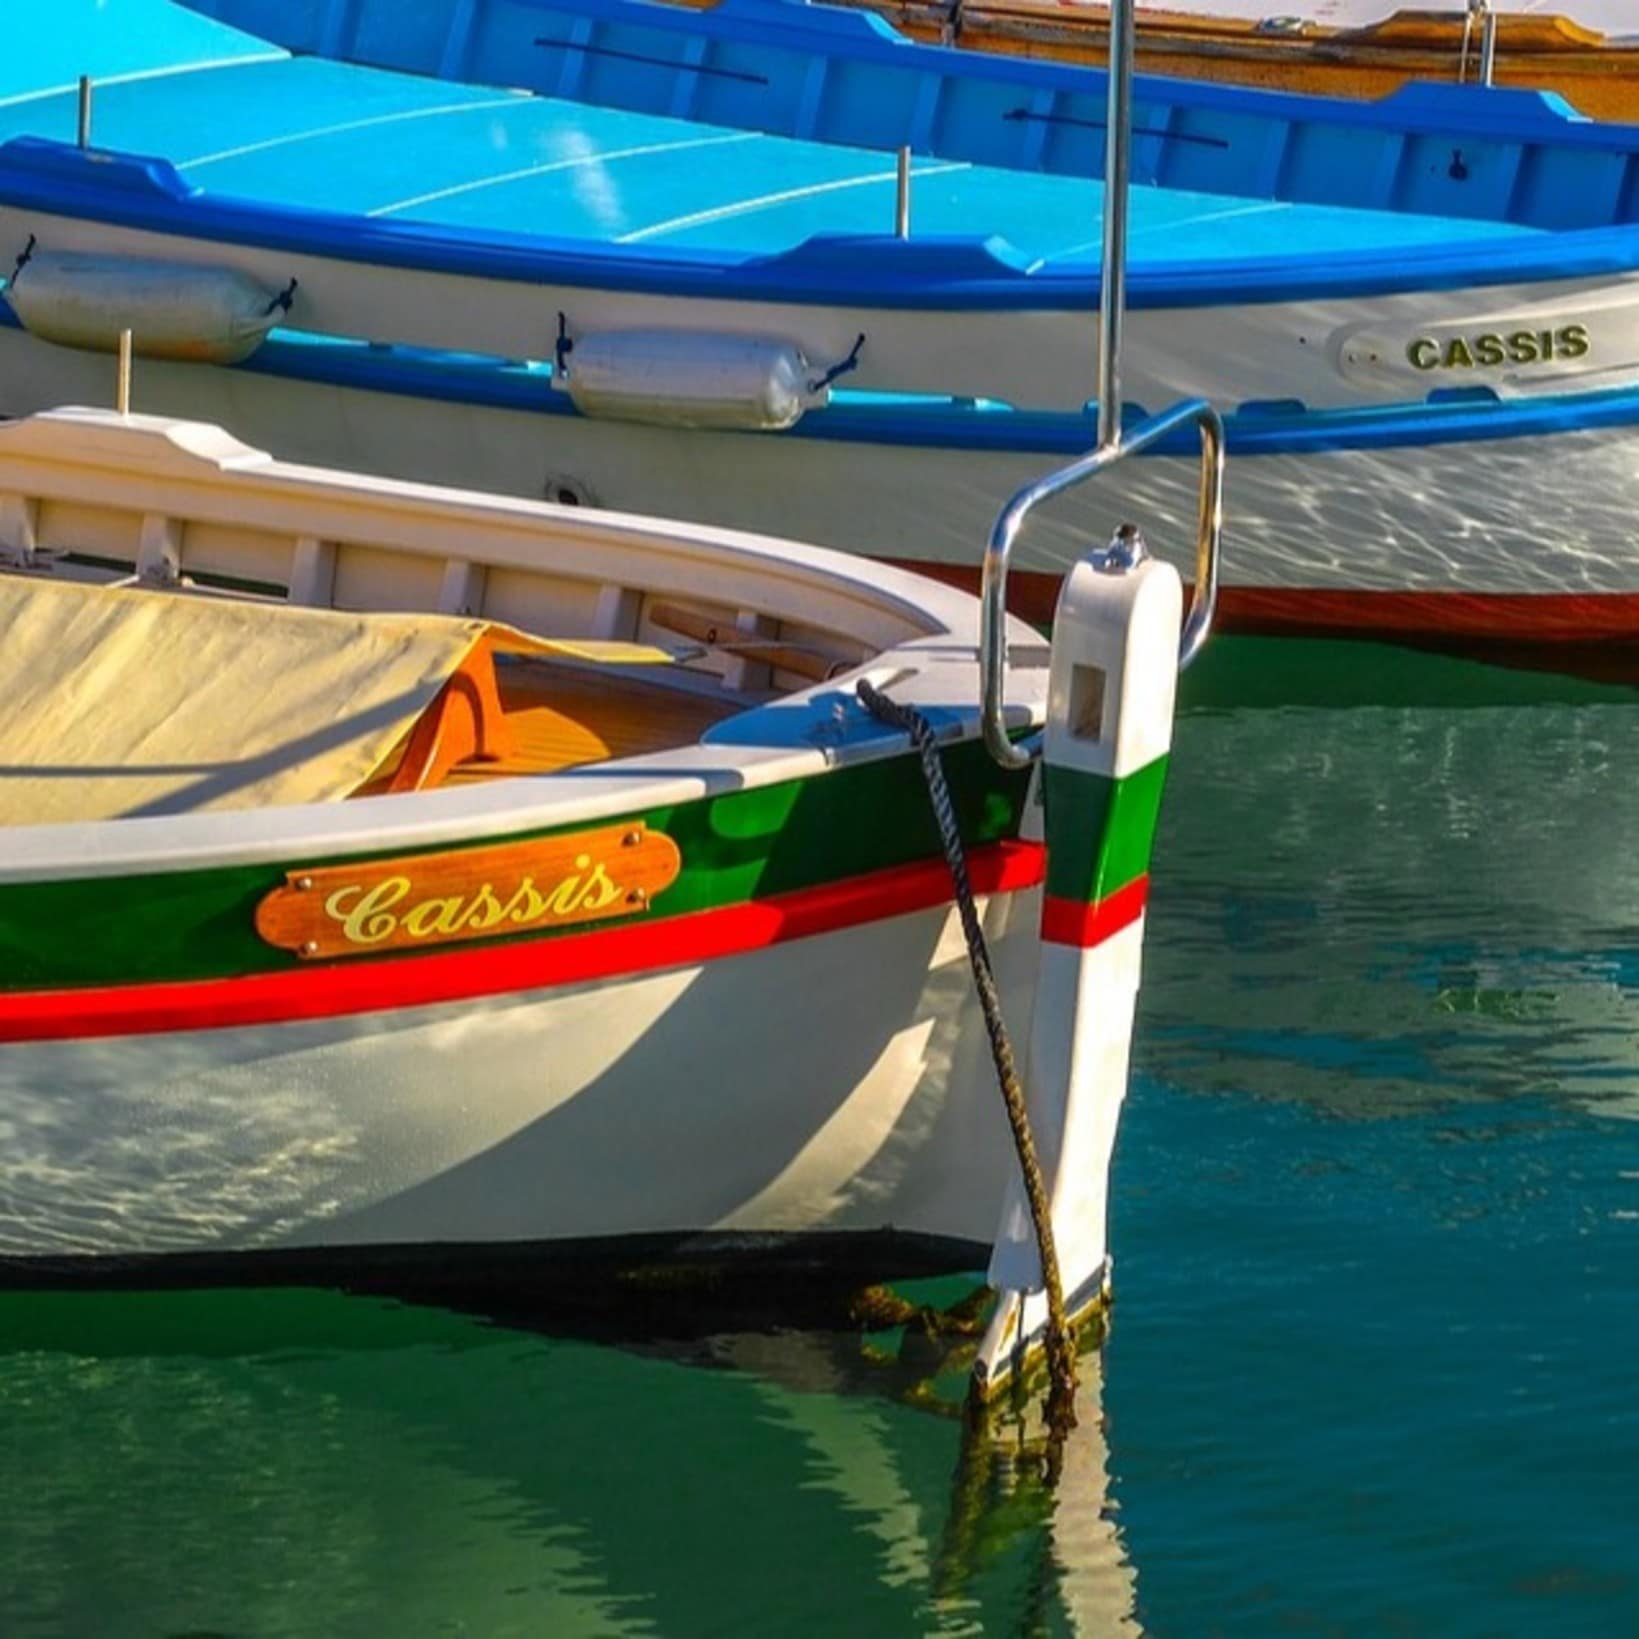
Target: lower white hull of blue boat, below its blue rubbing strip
{"points": [[1394, 542]]}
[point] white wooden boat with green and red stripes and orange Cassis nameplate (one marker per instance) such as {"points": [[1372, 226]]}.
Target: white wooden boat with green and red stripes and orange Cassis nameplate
{"points": [[397, 873]]}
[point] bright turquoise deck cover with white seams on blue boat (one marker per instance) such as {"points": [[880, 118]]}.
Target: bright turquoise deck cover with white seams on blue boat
{"points": [[238, 119]]}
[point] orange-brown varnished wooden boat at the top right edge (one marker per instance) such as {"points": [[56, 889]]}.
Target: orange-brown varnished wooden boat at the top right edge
{"points": [[1330, 50]]}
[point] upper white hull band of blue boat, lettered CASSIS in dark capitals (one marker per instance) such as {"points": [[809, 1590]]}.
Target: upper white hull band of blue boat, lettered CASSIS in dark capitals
{"points": [[1517, 338]]}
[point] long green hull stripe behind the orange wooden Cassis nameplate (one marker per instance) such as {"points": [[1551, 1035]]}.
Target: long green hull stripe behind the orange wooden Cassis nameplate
{"points": [[740, 847]]}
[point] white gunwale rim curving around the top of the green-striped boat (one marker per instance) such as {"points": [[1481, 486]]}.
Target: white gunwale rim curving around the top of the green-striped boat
{"points": [[802, 735]]}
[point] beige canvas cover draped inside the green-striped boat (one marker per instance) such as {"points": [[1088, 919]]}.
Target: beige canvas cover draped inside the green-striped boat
{"points": [[127, 702]]}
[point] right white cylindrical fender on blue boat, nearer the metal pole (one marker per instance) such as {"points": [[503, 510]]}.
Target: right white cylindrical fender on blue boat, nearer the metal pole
{"points": [[694, 379]]}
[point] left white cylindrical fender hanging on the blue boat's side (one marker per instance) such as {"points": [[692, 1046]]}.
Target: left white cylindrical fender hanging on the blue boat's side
{"points": [[175, 311]]}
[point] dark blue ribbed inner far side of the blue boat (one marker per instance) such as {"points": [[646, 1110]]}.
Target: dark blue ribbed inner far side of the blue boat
{"points": [[845, 79]]}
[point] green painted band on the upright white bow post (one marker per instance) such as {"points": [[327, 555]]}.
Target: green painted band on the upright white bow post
{"points": [[1110, 829]]}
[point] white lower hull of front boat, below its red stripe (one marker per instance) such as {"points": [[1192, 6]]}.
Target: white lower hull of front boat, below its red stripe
{"points": [[840, 1083]]}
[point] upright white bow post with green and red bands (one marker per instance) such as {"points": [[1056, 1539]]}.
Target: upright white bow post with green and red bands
{"points": [[1110, 706]]}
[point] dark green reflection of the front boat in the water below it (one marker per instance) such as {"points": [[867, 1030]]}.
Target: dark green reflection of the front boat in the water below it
{"points": [[316, 1463]]}
